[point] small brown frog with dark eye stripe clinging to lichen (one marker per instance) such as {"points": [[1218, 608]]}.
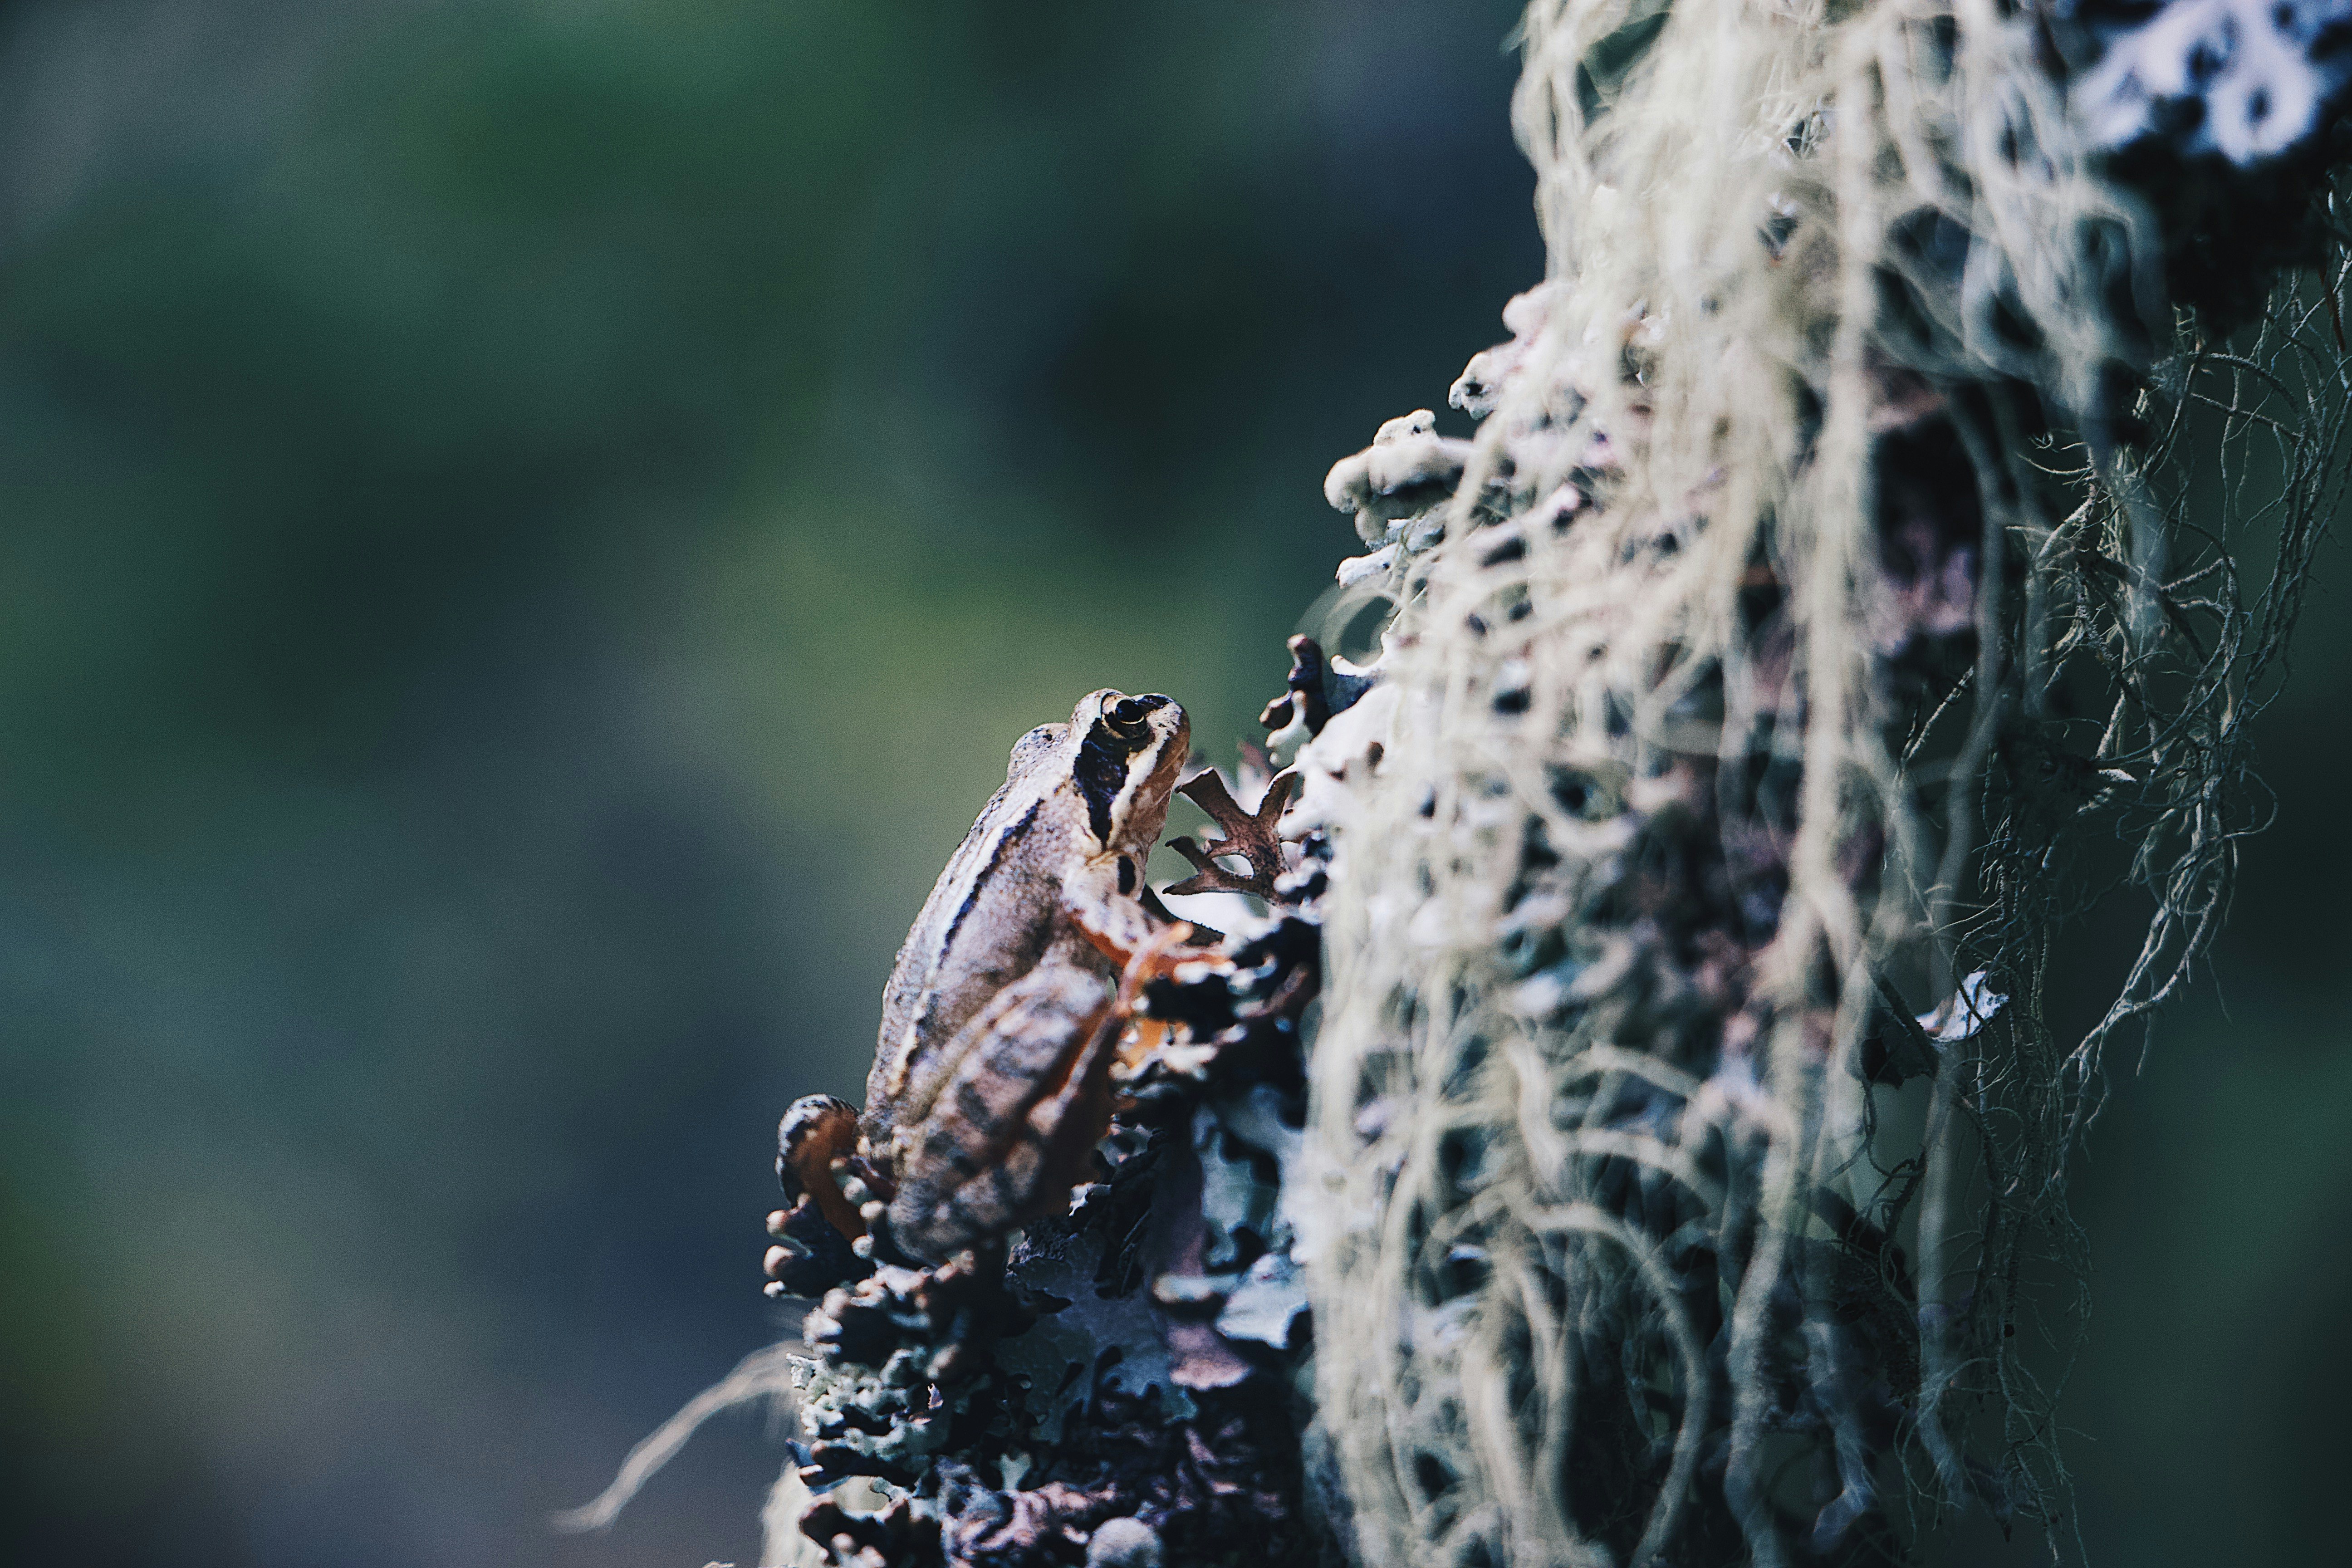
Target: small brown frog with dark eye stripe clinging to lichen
{"points": [[991, 1078]]}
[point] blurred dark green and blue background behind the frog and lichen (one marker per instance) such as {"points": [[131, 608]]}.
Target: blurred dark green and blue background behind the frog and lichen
{"points": [[526, 532]]}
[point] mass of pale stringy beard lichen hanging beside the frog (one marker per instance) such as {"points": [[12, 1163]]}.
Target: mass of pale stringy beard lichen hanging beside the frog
{"points": [[1840, 594]]}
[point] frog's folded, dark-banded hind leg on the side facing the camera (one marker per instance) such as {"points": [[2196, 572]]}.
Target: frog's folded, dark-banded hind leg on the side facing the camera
{"points": [[1013, 1123]]}
